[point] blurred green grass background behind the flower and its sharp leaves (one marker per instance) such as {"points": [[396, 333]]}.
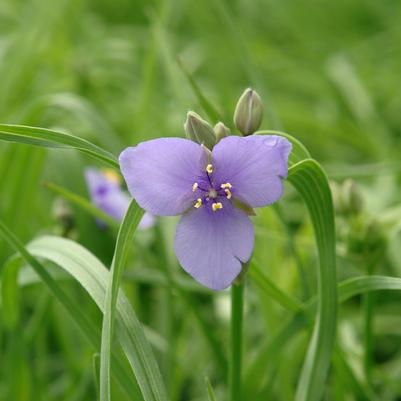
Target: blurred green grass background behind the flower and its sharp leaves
{"points": [[122, 71]]}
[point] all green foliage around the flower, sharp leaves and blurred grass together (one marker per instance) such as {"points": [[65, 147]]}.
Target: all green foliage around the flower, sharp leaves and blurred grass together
{"points": [[321, 300]]}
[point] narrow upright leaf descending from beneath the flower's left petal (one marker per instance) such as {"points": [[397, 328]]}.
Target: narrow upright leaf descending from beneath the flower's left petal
{"points": [[127, 229]]}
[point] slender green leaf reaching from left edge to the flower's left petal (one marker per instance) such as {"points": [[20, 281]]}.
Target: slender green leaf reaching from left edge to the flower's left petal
{"points": [[54, 139]]}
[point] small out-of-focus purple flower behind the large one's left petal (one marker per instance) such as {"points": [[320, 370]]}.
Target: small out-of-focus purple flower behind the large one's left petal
{"points": [[106, 194]]}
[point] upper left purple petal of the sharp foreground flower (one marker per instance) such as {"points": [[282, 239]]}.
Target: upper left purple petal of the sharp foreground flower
{"points": [[160, 174]]}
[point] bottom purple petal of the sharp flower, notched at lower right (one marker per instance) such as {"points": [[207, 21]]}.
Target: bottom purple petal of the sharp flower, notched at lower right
{"points": [[210, 246]]}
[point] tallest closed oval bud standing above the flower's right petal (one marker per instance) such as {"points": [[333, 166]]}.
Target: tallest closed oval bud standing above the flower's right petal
{"points": [[248, 112]]}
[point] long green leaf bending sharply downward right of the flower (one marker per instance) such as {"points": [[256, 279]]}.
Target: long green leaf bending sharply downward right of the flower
{"points": [[311, 182]]}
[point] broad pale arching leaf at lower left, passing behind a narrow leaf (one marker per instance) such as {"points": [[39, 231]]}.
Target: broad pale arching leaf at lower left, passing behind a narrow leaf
{"points": [[94, 276]]}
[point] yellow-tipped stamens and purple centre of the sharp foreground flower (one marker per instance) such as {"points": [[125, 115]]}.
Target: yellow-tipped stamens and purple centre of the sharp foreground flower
{"points": [[208, 193]]}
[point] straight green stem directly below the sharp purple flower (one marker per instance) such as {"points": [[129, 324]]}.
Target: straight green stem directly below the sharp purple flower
{"points": [[234, 381]]}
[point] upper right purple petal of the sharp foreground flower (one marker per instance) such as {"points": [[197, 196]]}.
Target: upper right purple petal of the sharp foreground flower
{"points": [[253, 165]]}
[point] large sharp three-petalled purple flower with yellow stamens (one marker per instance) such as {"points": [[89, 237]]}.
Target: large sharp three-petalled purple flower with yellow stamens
{"points": [[173, 176]]}
